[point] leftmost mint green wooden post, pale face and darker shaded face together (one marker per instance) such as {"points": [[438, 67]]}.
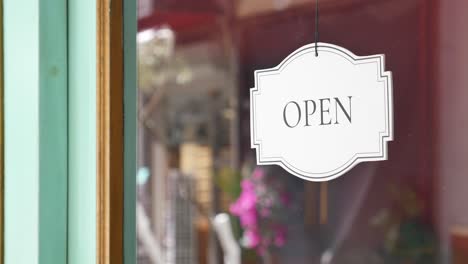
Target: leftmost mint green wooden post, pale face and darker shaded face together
{"points": [[35, 132]]}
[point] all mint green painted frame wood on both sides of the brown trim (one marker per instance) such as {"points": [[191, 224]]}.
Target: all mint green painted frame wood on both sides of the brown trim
{"points": [[50, 131]]}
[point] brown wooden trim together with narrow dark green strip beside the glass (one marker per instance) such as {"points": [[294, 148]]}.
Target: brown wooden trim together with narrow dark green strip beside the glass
{"points": [[116, 132]]}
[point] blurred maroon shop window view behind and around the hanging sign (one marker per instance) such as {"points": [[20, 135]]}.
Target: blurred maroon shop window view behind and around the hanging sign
{"points": [[196, 64]]}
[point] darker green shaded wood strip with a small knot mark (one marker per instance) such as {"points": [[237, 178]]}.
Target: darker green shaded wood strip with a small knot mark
{"points": [[53, 132]]}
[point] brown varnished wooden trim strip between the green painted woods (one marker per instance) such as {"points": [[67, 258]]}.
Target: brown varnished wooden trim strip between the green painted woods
{"points": [[110, 126]]}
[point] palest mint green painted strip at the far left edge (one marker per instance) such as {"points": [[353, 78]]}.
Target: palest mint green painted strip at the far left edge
{"points": [[21, 36]]}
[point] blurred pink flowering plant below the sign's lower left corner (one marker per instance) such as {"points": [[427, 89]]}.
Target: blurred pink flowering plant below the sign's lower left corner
{"points": [[261, 208]]}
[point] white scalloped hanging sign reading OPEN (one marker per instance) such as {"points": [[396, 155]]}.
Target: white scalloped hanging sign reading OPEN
{"points": [[319, 116]]}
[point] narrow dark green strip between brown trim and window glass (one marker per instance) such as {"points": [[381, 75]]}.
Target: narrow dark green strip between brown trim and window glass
{"points": [[130, 127]]}
